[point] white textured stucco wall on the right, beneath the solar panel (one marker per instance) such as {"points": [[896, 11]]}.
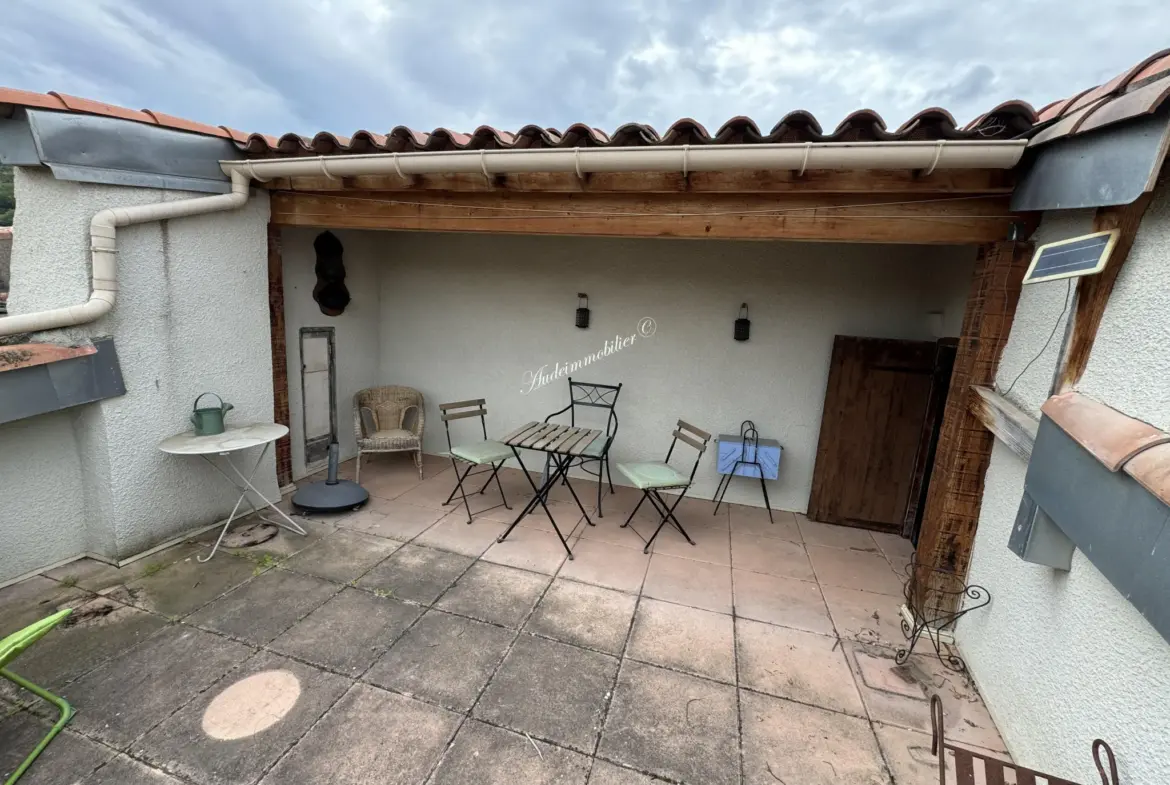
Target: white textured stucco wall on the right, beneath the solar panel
{"points": [[1063, 658]]}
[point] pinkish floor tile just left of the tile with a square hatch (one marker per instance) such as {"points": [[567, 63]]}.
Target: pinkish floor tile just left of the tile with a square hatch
{"points": [[796, 665]]}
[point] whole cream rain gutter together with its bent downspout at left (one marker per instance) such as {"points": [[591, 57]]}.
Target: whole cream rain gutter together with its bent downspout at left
{"points": [[926, 157]]}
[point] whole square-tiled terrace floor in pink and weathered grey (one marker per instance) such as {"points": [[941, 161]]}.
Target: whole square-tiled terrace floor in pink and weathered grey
{"points": [[400, 645]]}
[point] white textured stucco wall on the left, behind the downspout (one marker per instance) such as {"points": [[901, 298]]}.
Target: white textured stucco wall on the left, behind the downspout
{"points": [[191, 316]]}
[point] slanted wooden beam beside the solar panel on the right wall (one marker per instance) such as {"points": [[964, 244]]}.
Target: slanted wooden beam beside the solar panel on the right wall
{"points": [[1093, 291]]}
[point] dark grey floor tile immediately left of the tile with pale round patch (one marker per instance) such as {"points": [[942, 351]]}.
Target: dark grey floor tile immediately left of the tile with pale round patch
{"points": [[133, 693]]}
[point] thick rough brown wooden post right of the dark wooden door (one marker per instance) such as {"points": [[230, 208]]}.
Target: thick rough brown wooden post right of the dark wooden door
{"points": [[965, 445]]}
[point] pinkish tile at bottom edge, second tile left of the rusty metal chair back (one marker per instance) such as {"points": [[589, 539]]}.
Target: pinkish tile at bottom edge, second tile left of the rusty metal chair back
{"points": [[790, 742]]}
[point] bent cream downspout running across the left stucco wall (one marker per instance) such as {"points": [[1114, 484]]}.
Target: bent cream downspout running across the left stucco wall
{"points": [[104, 247]]}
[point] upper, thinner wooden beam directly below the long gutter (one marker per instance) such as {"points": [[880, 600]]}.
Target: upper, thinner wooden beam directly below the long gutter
{"points": [[953, 182]]}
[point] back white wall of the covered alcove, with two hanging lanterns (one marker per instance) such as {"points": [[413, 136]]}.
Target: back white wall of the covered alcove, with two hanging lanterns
{"points": [[466, 316]]}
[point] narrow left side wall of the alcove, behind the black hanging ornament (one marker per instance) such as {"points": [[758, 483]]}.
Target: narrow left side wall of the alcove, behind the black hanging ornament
{"points": [[357, 333]]}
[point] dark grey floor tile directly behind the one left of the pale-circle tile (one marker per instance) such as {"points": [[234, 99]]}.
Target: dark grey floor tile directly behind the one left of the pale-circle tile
{"points": [[266, 607]]}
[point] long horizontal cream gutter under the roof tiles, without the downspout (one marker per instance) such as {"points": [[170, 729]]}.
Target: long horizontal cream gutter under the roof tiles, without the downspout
{"points": [[924, 156]]}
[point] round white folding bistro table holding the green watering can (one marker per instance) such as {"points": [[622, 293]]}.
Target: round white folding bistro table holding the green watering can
{"points": [[235, 439]]}
